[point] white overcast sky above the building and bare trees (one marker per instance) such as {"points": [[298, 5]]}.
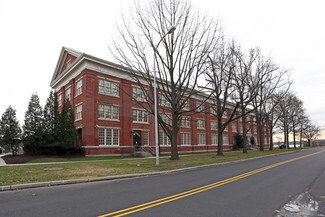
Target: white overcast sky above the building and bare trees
{"points": [[33, 32]]}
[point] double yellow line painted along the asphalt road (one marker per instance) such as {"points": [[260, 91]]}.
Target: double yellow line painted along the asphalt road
{"points": [[198, 190]]}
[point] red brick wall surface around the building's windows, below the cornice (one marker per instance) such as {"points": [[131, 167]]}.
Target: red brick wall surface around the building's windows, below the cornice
{"points": [[90, 122]]}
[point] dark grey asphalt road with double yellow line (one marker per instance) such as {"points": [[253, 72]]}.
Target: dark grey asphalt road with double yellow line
{"points": [[256, 187]]}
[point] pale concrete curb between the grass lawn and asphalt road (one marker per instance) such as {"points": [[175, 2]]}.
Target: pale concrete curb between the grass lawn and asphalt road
{"points": [[119, 177]]}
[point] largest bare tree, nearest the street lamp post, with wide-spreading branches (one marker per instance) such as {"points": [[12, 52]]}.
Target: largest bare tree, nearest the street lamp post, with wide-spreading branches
{"points": [[178, 58]]}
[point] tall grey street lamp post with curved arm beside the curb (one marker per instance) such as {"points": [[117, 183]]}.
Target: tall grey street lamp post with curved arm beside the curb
{"points": [[171, 30]]}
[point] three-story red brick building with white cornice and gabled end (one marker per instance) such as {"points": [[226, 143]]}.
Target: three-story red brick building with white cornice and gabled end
{"points": [[109, 122]]}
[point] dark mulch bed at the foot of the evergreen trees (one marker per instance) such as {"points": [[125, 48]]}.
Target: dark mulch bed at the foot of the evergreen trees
{"points": [[21, 159]]}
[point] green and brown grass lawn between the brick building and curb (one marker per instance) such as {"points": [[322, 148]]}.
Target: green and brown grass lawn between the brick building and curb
{"points": [[108, 166]]}
